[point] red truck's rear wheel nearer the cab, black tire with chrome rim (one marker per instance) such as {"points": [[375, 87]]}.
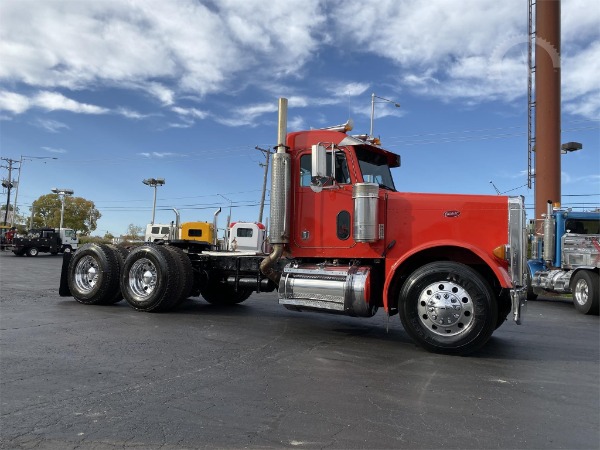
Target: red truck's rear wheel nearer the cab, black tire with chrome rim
{"points": [[150, 279]]}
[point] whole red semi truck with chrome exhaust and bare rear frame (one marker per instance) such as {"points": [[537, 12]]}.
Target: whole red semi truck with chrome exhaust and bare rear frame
{"points": [[342, 240]]}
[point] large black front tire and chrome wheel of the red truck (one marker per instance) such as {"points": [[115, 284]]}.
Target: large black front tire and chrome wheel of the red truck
{"points": [[447, 307]]}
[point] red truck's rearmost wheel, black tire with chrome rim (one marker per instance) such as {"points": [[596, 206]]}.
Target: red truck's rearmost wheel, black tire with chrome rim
{"points": [[93, 275]]}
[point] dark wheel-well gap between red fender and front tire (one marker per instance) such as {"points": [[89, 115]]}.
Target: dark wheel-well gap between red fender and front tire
{"points": [[446, 253]]}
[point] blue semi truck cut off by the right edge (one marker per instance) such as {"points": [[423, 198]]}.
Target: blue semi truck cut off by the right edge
{"points": [[565, 258]]}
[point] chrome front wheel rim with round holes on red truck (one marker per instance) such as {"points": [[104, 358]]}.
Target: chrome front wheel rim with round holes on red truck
{"points": [[445, 309]]}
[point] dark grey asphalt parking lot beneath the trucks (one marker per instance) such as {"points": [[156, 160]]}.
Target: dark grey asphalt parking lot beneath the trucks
{"points": [[259, 376]]}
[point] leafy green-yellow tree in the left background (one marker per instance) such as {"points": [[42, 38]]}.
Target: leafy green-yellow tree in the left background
{"points": [[80, 214]]}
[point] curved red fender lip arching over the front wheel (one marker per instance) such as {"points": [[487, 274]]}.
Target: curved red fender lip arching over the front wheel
{"points": [[391, 274]]}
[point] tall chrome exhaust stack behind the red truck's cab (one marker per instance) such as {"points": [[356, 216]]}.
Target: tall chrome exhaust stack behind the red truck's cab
{"points": [[279, 229]]}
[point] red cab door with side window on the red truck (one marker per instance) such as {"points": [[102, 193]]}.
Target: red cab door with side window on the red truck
{"points": [[322, 220]]}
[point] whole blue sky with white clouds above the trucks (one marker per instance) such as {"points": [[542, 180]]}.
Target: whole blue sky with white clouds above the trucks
{"points": [[184, 90]]}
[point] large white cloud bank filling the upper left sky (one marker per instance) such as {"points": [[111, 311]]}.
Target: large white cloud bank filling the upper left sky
{"points": [[197, 49]]}
